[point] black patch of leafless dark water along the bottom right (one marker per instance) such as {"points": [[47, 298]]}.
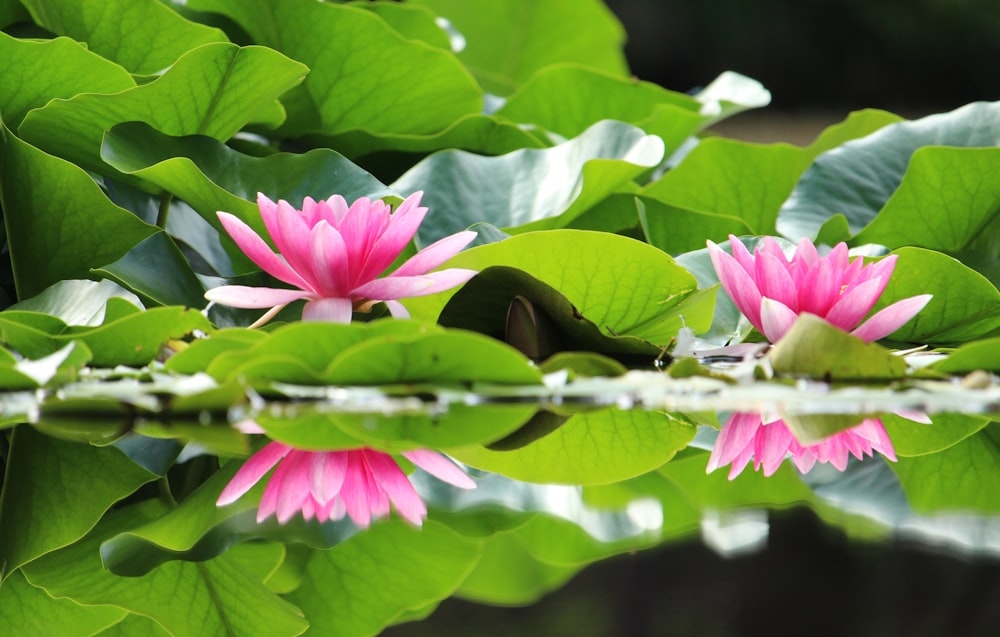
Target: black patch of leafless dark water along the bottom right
{"points": [[808, 580]]}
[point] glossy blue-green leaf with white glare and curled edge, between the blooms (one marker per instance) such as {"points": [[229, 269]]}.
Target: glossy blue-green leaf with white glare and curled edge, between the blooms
{"points": [[517, 188]]}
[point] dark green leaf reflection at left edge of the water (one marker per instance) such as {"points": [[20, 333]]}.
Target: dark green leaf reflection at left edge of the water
{"points": [[55, 491]]}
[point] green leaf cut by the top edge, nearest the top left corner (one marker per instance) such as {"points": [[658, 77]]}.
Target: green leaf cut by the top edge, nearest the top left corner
{"points": [[144, 36]]}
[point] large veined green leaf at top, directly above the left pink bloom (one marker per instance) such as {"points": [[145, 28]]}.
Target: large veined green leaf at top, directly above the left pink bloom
{"points": [[364, 74]]}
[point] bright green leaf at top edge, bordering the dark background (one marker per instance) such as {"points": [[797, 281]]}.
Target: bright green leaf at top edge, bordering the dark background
{"points": [[507, 42]]}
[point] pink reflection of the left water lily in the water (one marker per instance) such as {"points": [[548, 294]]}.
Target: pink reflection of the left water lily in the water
{"points": [[328, 484]]}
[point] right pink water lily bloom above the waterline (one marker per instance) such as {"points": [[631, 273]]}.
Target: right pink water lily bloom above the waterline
{"points": [[772, 291]]}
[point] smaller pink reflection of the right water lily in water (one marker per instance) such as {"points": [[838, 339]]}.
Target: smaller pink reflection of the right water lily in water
{"points": [[746, 436]]}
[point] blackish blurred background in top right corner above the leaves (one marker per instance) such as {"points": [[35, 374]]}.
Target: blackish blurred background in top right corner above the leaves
{"points": [[839, 55]]}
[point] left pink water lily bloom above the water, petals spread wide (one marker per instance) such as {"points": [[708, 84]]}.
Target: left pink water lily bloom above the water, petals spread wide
{"points": [[333, 255]]}
